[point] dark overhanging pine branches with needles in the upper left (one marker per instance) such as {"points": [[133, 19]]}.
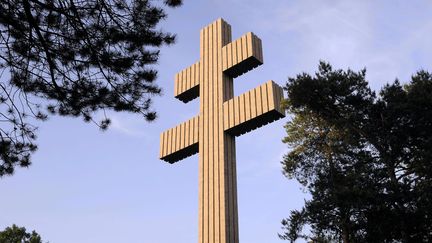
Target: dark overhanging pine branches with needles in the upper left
{"points": [[73, 58]]}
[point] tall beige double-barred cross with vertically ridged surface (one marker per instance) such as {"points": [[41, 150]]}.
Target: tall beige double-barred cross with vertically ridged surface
{"points": [[222, 117]]}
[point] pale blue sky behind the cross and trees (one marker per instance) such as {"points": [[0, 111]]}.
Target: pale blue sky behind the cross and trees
{"points": [[88, 186]]}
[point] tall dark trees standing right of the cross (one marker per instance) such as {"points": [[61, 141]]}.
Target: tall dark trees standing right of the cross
{"points": [[364, 158]]}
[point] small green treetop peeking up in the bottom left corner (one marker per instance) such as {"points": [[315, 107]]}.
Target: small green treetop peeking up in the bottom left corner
{"points": [[17, 234]]}
